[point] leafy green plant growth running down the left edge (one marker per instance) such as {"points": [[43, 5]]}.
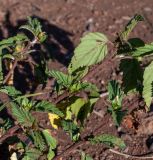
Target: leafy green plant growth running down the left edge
{"points": [[33, 141]]}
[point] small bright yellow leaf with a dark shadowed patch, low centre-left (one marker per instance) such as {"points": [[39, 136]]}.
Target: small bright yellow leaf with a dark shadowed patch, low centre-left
{"points": [[54, 120]]}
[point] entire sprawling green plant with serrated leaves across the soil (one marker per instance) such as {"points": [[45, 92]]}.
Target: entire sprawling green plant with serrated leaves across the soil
{"points": [[75, 96]]}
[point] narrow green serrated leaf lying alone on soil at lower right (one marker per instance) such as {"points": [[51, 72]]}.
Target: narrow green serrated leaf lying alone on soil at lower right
{"points": [[109, 140]]}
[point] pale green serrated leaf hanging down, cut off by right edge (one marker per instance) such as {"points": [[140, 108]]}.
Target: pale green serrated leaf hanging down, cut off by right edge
{"points": [[148, 84]]}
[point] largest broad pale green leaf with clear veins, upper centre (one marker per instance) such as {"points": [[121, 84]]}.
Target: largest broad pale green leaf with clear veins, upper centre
{"points": [[91, 50]]}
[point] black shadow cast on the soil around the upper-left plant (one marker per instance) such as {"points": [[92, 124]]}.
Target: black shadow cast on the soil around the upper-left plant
{"points": [[58, 47]]}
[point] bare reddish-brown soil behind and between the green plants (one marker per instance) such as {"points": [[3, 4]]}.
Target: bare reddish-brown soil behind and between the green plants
{"points": [[65, 21]]}
